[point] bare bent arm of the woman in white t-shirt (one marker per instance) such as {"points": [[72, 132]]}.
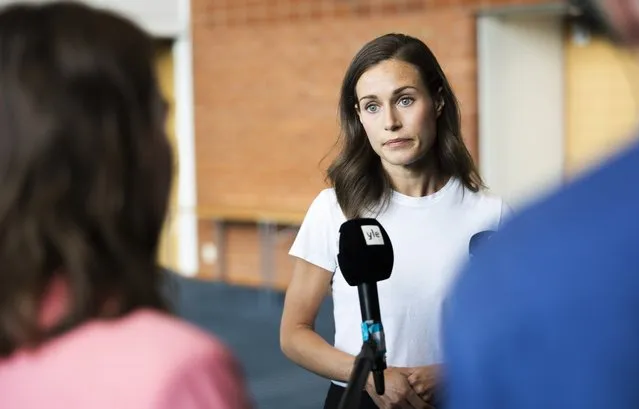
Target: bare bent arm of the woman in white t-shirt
{"points": [[300, 343]]}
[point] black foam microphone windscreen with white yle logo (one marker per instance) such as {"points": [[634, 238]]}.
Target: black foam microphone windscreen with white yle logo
{"points": [[365, 252]]}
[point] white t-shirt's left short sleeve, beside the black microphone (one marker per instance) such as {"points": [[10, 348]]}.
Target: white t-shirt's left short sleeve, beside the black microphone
{"points": [[316, 240]]}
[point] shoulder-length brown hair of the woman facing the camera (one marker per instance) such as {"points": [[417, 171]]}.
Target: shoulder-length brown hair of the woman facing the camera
{"points": [[360, 182]]}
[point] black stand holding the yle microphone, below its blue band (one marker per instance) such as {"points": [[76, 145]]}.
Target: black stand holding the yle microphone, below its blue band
{"points": [[366, 362]]}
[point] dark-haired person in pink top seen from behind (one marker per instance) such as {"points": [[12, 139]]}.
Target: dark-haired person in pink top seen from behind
{"points": [[85, 170]]}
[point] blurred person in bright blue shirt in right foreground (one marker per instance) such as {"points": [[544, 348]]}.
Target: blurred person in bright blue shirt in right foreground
{"points": [[547, 314]]}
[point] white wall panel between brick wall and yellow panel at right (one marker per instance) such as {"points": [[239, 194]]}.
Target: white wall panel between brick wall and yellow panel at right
{"points": [[521, 103]]}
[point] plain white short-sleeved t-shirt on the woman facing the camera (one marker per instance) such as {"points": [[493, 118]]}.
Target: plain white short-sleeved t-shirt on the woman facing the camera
{"points": [[430, 237]]}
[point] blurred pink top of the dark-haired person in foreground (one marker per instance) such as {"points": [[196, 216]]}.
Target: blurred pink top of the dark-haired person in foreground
{"points": [[146, 360]]}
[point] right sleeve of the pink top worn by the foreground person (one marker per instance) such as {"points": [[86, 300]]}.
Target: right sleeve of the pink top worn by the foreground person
{"points": [[211, 379]]}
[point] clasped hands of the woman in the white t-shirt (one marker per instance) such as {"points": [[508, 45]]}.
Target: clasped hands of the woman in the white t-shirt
{"points": [[398, 393]]}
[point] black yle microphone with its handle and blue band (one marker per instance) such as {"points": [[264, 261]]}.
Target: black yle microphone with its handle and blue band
{"points": [[365, 257]]}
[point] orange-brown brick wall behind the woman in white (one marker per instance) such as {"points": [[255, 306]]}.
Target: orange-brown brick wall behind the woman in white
{"points": [[267, 77]]}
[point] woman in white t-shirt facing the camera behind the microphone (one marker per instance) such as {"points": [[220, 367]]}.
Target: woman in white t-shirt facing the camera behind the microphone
{"points": [[404, 162]]}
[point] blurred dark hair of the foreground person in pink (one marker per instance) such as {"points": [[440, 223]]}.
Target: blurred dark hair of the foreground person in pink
{"points": [[85, 167]]}
